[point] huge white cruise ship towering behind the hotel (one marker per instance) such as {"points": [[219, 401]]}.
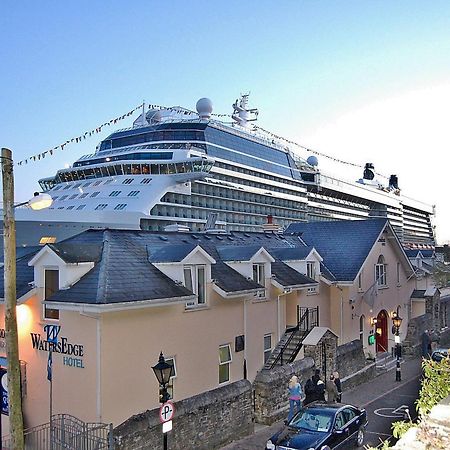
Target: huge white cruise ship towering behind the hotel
{"points": [[178, 169]]}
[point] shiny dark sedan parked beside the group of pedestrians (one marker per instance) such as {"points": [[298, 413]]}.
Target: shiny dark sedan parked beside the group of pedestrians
{"points": [[319, 426]]}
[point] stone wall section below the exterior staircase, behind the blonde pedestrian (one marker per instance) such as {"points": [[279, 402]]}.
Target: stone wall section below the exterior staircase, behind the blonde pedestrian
{"points": [[270, 389]]}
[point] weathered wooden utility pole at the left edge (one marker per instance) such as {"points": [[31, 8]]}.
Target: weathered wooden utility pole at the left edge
{"points": [[10, 299]]}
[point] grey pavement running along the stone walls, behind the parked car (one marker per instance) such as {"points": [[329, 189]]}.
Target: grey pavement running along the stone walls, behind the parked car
{"points": [[366, 395]]}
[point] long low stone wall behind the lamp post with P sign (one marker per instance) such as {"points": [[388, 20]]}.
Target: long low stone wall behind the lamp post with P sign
{"points": [[204, 422]]}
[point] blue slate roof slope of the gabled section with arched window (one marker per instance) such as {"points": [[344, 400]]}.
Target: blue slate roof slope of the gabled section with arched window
{"points": [[343, 245]]}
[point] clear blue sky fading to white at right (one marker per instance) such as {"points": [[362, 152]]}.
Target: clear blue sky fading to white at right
{"points": [[361, 81]]}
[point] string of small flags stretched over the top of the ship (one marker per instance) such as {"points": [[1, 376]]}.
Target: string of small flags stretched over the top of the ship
{"points": [[182, 111]]}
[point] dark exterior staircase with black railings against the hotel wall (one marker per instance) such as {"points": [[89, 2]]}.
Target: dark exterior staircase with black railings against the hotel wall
{"points": [[292, 340]]}
